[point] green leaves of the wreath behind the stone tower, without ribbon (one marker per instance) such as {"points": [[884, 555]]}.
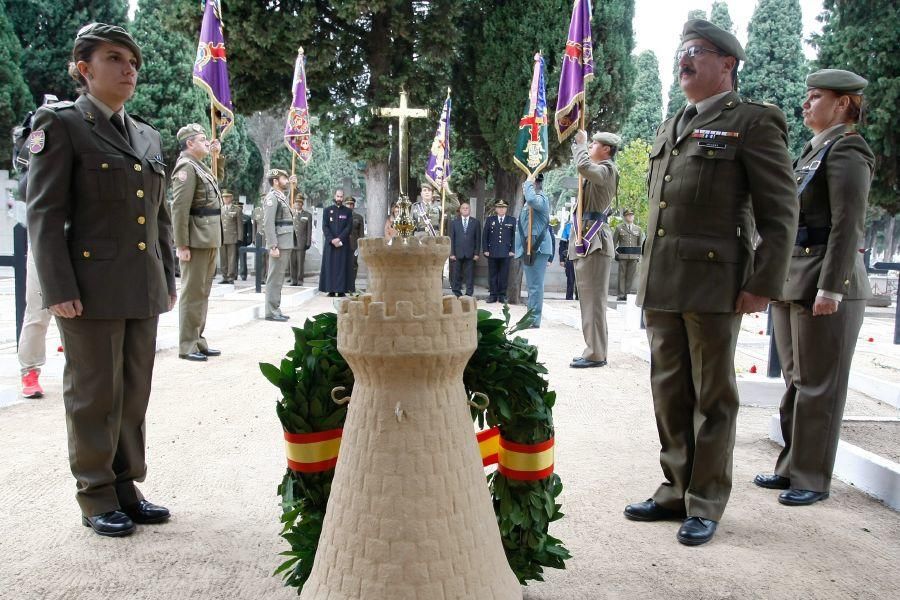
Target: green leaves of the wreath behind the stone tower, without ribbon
{"points": [[504, 369]]}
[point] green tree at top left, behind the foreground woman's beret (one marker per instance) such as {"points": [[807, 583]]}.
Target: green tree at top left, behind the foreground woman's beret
{"points": [[47, 31]]}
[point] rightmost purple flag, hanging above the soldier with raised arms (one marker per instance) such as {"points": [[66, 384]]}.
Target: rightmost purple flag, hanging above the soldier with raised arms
{"points": [[577, 70]]}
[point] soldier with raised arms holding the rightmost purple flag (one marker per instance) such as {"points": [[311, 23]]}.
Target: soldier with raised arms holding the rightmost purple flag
{"points": [[592, 255]]}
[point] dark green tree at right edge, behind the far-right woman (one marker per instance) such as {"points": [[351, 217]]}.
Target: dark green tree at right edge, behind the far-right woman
{"points": [[861, 35]]}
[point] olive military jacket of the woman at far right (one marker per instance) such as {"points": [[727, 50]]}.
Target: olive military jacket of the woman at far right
{"points": [[833, 204]]}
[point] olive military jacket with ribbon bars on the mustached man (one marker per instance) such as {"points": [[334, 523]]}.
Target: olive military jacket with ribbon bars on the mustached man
{"points": [[728, 173]]}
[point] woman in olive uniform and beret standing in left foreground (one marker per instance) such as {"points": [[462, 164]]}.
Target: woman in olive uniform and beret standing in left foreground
{"points": [[101, 237]]}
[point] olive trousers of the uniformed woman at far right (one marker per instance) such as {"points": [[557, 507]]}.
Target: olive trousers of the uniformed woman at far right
{"points": [[815, 353]]}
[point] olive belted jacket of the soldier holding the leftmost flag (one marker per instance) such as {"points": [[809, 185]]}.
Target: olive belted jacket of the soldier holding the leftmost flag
{"points": [[196, 204]]}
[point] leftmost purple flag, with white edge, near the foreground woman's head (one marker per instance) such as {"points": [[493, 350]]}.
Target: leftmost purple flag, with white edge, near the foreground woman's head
{"points": [[211, 67]]}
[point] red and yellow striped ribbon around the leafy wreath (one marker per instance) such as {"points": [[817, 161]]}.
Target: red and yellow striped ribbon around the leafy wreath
{"points": [[316, 452]]}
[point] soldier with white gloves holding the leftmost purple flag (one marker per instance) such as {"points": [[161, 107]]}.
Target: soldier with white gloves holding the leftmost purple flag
{"points": [[197, 220]]}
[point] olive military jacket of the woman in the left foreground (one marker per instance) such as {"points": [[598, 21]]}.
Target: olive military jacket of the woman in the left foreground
{"points": [[98, 224]]}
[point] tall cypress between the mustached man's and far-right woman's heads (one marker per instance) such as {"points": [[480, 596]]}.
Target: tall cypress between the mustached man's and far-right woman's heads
{"points": [[776, 68]]}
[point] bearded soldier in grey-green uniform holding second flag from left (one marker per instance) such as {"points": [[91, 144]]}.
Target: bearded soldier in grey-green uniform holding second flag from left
{"points": [[278, 222]]}
